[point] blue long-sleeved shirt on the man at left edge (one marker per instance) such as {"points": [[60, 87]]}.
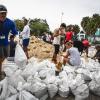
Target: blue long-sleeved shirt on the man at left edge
{"points": [[8, 26]]}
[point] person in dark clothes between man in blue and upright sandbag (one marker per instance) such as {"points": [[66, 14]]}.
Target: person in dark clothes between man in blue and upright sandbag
{"points": [[12, 46]]}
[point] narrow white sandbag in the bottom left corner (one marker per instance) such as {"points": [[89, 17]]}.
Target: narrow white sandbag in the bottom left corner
{"points": [[4, 87]]}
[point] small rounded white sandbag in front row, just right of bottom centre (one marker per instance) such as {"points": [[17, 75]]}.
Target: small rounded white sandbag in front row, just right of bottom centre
{"points": [[63, 91]]}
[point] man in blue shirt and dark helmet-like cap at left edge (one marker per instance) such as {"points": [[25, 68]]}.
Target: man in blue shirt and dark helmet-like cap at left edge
{"points": [[6, 26]]}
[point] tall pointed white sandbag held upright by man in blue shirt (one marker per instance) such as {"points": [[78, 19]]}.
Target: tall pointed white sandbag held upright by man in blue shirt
{"points": [[20, 57]]}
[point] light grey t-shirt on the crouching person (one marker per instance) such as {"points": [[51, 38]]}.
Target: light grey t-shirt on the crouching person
{"points": [[75, 58]]}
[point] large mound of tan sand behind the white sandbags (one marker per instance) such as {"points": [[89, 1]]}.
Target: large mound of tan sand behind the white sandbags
{"points": [[40, 49]]}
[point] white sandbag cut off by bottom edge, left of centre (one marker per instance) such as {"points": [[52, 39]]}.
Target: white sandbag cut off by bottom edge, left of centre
{"points": [[24, 95]]}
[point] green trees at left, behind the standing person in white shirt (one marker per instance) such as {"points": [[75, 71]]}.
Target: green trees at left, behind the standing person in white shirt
{"points": [[38, 26]]}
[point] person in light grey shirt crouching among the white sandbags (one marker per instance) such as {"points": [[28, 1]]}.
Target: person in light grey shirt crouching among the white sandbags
{"points": [[72, 56]]}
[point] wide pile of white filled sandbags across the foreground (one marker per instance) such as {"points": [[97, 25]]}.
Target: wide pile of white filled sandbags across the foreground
{"points": [[38, 81]]}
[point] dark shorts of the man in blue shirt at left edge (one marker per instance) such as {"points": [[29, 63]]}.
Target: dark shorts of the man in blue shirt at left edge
{"points": [[4, 51]]}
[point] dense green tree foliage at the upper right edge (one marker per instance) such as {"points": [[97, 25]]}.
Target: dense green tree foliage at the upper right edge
{"points": [[90, 24]]}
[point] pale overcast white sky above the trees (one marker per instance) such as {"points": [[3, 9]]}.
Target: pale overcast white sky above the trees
{"points": [[54, 11]]}
